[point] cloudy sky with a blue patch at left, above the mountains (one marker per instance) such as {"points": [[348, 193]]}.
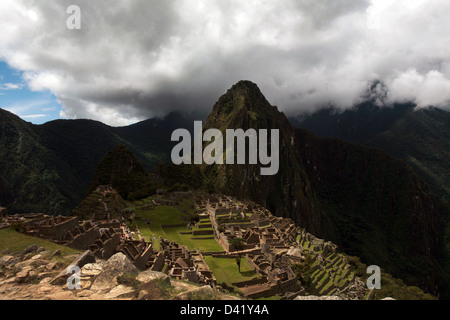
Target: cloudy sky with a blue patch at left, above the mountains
{"points": [[136, 59]]}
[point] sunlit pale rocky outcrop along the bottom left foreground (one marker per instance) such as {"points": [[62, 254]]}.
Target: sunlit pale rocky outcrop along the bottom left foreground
{"points": [[37, 274]]}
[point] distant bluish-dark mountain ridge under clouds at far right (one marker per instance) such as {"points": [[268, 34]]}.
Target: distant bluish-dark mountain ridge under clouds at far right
{"points": [[419, 137]]}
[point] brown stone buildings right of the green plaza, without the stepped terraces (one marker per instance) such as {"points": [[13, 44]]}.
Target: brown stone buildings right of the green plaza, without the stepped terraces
{"points": [[263, 236]]}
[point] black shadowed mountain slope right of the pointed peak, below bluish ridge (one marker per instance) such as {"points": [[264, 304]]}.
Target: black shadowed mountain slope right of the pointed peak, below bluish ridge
{"points": [[379, 208]]}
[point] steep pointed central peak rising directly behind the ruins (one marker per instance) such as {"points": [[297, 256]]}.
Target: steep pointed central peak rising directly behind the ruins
{"points": [[288, 193]]}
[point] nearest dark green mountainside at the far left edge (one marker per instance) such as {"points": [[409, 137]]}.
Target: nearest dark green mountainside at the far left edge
{"points": [[33, 177]]}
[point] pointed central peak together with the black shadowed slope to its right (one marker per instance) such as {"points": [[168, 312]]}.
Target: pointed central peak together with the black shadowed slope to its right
{"points": [[371, 204]]}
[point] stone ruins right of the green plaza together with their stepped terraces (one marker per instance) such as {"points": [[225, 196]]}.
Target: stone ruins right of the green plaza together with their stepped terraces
{"points": [[272, 246]]}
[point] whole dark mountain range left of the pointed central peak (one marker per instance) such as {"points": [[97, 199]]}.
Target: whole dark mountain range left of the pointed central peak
{"points": [[48, 168]]}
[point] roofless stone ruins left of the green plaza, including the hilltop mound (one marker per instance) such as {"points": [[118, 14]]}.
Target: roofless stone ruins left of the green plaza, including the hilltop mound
{"points": [[107, 233]]}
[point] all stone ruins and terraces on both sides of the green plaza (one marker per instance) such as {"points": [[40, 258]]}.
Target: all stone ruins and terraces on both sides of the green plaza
{"points": [[270, 245]]}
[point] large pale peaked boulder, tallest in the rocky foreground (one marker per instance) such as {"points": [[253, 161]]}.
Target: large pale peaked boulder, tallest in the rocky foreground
{"points": [[116, 266]]}
